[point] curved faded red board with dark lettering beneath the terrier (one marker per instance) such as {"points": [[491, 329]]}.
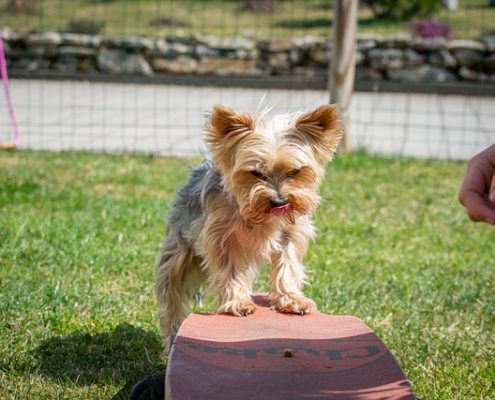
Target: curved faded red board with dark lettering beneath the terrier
{"points": [[269, 355]]}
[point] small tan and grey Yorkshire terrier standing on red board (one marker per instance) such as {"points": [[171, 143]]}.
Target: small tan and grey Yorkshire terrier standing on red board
{"points": [[249, 204]]}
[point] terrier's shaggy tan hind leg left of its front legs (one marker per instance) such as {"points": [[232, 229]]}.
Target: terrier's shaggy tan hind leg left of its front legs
{"points": [[178, 278]]}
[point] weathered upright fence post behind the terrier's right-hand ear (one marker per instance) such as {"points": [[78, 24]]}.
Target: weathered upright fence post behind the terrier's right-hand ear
{"points": [[343, 60]]}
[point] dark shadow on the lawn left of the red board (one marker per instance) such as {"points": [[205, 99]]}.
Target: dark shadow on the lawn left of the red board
{"points": [[124, 356]]}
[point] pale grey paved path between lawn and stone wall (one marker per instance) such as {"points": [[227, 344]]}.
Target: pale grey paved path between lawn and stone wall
{"points": [[168, 120]]}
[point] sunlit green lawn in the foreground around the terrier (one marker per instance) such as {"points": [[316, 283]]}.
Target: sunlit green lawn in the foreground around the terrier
{"points": [[79, 234]]}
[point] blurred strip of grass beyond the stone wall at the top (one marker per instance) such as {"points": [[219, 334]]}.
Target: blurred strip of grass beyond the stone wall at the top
{"points": [[225, 18]]}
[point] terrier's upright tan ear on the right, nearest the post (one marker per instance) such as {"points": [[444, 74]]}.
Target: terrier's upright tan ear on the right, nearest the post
{"points": [[323, 130]]}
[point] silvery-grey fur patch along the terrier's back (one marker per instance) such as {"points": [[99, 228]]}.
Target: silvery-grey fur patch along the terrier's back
{"points": [[188, 207]]}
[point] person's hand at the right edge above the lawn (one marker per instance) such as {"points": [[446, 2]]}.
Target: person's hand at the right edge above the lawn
{"points": [[477, 192]]}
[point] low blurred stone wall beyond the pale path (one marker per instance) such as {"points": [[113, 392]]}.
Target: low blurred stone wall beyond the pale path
{"points": [[395, 58]]}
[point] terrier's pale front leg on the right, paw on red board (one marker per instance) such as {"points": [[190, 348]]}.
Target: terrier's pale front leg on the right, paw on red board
{"points": [[286, 281]]}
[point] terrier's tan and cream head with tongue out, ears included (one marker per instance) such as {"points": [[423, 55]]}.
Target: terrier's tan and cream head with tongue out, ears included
{"points": [[273, 166]]}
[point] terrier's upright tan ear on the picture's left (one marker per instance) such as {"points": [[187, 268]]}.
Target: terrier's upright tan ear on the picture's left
{"points": [[225, 128]]}
